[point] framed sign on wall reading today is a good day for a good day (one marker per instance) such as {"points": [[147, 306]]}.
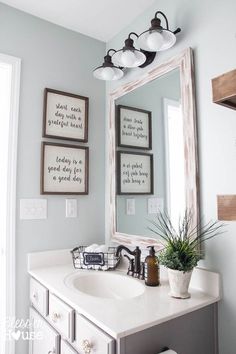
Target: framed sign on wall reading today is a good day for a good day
{"points": [[64, 169]]}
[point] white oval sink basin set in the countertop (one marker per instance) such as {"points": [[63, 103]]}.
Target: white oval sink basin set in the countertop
{"points": [[106, 285]]}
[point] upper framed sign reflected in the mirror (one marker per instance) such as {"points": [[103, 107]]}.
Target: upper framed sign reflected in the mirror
{"points": [[134, 128]]}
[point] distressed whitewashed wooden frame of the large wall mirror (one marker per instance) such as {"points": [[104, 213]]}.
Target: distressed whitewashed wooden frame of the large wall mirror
{"points": [[183, 62]]}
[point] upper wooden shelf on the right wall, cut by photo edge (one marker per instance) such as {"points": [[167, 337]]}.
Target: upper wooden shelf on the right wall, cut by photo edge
{"points": [[224, 89]]}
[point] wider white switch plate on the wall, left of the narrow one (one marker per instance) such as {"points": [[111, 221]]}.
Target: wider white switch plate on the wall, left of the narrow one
{"points": [[32, 209]]}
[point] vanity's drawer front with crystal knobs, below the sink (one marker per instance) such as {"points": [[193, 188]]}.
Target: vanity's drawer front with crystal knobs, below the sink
{"points": [[57, 329]]}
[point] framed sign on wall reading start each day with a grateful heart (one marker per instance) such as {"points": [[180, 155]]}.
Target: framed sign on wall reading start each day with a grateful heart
{"points": [[65, 116]]}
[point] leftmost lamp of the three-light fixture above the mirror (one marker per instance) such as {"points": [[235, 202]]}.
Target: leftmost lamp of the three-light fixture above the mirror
{"points": [[108, 71]]}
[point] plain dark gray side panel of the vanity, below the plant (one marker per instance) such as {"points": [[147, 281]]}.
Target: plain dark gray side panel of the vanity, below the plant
{"points": [[193, 333]]}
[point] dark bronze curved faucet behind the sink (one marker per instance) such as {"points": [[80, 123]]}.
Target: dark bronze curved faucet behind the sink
{"points": [[135, 266]]}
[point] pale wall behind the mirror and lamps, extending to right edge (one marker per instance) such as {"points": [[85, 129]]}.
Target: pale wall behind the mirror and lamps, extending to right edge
{"points": [[209, 28]]}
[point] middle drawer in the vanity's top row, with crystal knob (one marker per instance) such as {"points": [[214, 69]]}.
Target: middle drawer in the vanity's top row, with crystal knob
{"points": [[62, 317]]}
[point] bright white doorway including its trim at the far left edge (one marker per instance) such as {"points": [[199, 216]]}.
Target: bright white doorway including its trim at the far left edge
{"points": [[9, 107]]}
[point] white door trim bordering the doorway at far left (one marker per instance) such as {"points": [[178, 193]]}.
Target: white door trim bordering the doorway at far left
{"points": [[11, 191]]}
